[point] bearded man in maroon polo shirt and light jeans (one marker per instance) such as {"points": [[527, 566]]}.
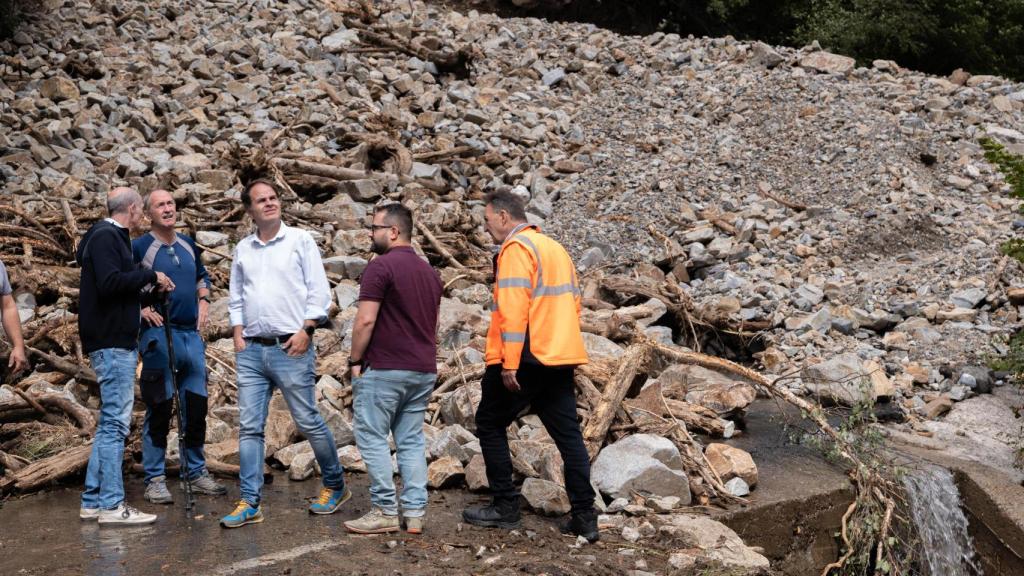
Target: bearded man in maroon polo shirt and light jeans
{"points": [[394, 362]]}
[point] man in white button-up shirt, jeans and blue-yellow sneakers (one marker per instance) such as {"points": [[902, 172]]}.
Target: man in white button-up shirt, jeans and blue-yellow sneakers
{"points": [[279, 295]]}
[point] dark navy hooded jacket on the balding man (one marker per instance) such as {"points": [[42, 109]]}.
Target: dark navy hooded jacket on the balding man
{"points": [[110, 294]]}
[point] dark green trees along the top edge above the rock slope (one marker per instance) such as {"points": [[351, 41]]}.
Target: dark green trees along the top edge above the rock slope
{"points": [[933, 36]]}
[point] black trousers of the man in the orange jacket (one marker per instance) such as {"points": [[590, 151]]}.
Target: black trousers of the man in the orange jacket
{"points": [[551, 394]]}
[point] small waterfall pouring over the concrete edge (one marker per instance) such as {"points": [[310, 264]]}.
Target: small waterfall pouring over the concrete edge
{"points": [[936, 509]]}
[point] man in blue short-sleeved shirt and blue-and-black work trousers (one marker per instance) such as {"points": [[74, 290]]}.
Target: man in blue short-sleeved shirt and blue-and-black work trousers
{"points": [[187, 308]]}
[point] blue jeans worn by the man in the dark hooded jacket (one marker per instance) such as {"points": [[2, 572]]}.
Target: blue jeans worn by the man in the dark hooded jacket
{"points": [[104, 481]]}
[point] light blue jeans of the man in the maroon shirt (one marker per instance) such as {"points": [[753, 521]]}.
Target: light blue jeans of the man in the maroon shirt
{"points": [[394, 401]]}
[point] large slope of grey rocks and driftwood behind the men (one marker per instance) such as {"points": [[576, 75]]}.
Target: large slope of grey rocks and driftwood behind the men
{"points": [[839, 223]]}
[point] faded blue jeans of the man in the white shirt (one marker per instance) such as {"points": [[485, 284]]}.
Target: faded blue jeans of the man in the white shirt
{"points": [[261, 369]]}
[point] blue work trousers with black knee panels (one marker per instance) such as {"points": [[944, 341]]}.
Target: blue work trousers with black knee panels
{"points": [[158, 394]]}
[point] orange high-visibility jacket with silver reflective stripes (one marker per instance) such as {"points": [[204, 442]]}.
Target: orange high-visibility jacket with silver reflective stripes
{"points": [[537, 299]]}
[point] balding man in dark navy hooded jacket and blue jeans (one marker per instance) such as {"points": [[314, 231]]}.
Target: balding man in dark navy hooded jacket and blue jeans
{"points": [[109, 314]]}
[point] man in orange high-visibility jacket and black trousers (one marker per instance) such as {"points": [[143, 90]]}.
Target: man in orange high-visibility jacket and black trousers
{"points": [[534, 345]]}
